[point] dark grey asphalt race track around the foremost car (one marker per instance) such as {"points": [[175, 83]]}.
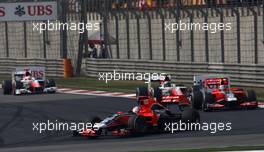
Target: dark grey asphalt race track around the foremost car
{"points": [[17, 113]]}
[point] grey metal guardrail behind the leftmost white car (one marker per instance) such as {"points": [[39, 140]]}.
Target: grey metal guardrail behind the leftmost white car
{"points": [[54, 68]]}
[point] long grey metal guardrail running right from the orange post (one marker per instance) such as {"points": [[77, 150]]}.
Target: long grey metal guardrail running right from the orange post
{"points": [[241, 75]]}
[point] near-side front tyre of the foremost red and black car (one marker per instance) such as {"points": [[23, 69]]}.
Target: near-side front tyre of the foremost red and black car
{"points": [[137, 124]]}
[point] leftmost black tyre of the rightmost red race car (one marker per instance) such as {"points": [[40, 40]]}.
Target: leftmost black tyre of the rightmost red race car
{"points": [[197, 99]]}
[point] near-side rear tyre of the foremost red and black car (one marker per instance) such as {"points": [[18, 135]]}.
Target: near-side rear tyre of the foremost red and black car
{"points": [[189, 117]]}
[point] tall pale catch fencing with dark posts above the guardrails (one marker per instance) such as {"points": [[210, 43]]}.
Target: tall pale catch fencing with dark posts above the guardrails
{"points": [[136, 30]]}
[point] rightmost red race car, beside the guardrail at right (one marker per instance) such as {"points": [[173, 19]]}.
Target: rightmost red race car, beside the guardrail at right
{"points": [[215, 92]]}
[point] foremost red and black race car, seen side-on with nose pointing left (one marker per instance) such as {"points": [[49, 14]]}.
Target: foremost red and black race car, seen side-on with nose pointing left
{"points": [[149, 116]]}
